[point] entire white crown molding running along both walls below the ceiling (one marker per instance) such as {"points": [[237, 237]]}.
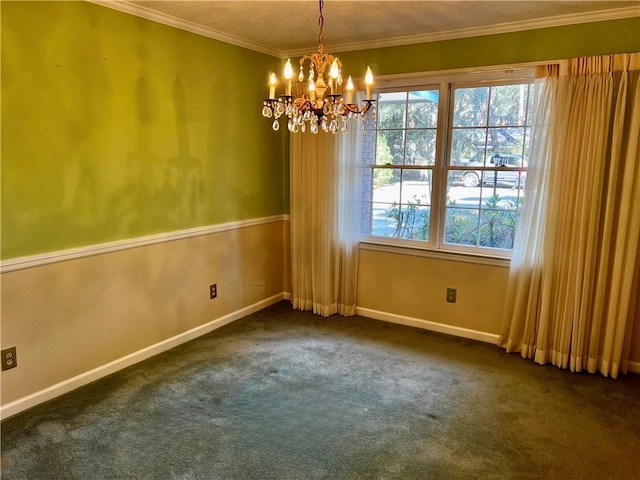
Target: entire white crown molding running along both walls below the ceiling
{"points": [[510, 27]]}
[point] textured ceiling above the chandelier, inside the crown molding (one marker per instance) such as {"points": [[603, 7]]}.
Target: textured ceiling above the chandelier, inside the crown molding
{"points": [[290, 26]]}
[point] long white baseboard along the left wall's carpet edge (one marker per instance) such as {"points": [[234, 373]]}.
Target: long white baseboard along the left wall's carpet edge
{"points": [[70, 384]]}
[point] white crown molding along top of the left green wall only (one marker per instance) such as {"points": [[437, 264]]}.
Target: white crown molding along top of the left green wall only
{"points": [[147, 13]]}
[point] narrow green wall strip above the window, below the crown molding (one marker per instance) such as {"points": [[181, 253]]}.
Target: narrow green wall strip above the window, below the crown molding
{"points": [[614, 36]]}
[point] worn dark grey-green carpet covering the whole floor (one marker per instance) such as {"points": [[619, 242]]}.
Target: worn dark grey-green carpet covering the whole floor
{"points": [[288, 395]]}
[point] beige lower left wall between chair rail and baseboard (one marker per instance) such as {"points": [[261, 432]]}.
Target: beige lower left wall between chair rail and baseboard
{"points": [[70, 317]]}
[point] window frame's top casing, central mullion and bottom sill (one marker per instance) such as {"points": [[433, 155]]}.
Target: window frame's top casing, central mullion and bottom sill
{"points": [[443, 81]]}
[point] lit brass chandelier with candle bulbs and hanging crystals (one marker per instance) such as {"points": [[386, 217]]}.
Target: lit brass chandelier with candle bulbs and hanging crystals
{"points": [[315, 107]]}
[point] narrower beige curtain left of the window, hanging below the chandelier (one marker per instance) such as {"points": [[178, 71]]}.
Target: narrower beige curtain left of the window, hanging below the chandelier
{"points": [[324, 250]]}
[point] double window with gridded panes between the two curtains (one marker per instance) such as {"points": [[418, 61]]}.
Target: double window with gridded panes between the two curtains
{"points": [[444, 165]]}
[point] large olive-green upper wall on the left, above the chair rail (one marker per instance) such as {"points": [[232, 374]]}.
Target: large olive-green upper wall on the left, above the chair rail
{"points": [[115, 127]]}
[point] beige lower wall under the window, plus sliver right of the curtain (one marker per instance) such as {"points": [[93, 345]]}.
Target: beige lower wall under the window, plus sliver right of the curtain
{"points": [[415, 287]]}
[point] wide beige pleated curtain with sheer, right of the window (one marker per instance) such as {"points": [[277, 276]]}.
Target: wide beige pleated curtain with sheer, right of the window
{"points": [[574, 274]]}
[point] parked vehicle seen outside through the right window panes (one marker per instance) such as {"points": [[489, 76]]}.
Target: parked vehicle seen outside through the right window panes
{"points": [[509, 174]]}
